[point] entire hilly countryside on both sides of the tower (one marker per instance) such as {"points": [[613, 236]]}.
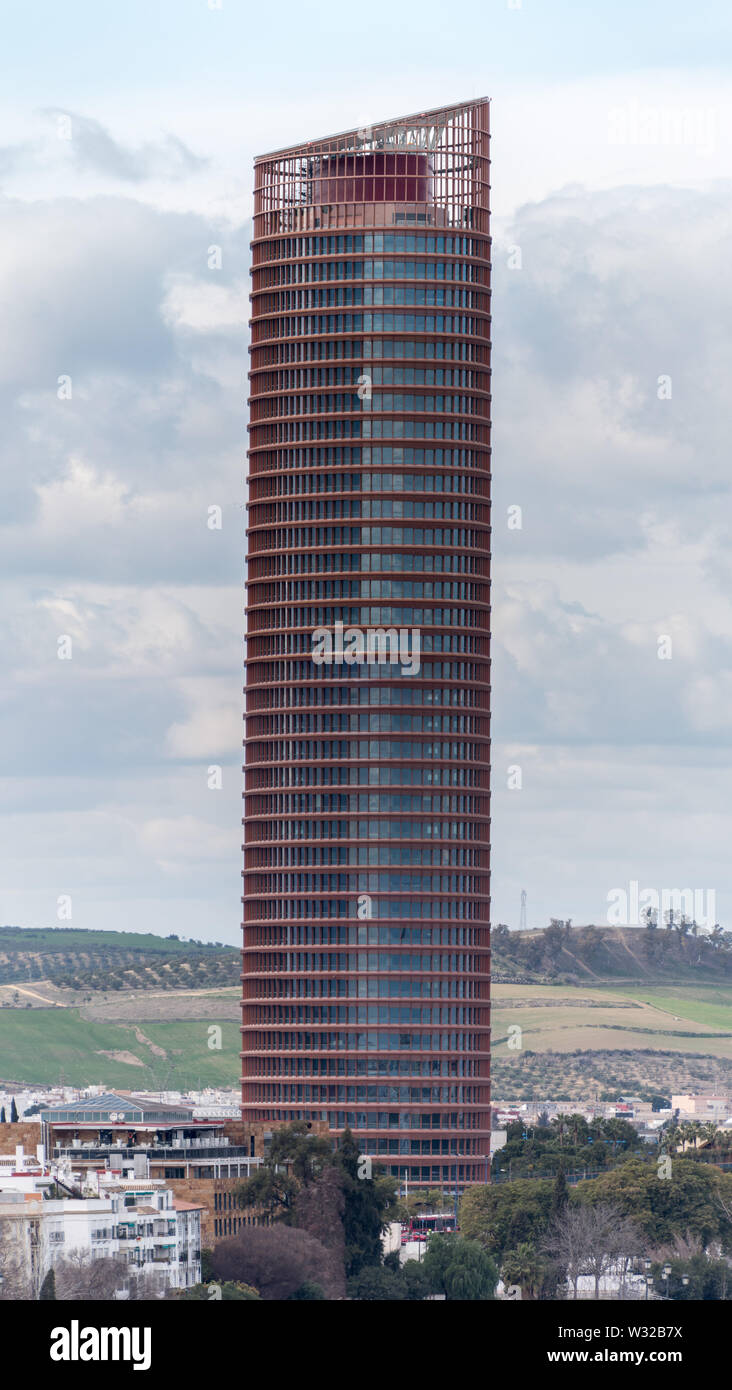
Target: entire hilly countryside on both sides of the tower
{"points": [[601, 1011]]}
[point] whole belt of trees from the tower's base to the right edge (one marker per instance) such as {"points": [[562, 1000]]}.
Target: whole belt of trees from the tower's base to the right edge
{"points": [[538, 1235]]}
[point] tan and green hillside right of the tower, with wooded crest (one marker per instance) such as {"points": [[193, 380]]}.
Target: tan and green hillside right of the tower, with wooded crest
{"points": [[610, 1011]]}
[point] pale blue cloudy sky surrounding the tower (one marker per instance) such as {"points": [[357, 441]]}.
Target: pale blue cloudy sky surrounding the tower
{"points": [[127, 142]]}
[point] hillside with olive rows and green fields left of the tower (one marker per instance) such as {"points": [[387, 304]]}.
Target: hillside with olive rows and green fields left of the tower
{"points": [[117, 1008]]}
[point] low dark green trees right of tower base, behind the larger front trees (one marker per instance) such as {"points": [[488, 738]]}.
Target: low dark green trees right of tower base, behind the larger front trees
{"points": [[570, 1143]]}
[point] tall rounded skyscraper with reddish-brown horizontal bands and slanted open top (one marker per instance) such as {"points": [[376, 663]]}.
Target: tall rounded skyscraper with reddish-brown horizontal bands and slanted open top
{"points": [[366, 960]]}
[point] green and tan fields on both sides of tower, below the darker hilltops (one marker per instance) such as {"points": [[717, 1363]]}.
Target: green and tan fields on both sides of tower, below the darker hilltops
{"points": [[670, 1035]]}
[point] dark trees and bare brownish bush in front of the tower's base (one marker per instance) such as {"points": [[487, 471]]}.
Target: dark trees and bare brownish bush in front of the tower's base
{"points": [[326, 1214]]}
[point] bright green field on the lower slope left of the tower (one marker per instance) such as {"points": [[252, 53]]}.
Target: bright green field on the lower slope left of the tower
{"points": [[42, 1046]]}
